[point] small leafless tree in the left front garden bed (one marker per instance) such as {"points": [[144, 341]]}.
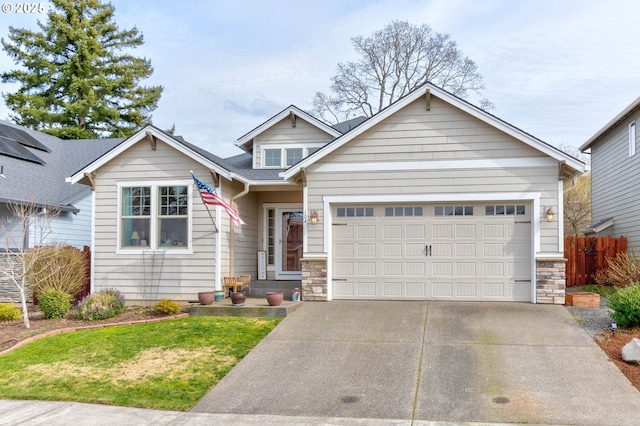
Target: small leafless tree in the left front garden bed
{"points": [[19, 259]]}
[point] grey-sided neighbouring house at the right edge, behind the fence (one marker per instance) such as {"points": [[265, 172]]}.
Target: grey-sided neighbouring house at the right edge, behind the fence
{"points": [[615, 165]]}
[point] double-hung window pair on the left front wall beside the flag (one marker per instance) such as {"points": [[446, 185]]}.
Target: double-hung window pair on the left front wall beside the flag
{"points": [[154, 216]]}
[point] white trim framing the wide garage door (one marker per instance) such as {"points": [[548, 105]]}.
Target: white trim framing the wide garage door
{"points": [[533, 197]]}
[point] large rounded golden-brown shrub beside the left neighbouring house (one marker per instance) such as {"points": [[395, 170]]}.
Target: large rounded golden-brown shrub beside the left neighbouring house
{"points": [[62, 268]]}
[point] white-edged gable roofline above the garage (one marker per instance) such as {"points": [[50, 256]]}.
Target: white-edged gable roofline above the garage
{"points": [[421, 91]]}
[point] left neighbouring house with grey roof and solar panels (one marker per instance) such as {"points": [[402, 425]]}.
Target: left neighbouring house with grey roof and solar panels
{"points": [[33, 168]]}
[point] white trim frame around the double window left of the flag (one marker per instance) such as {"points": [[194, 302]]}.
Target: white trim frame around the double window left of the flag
{"points": [[153, 225]]}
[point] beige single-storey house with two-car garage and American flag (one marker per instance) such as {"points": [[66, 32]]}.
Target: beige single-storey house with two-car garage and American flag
{"points": [[432, 198]]}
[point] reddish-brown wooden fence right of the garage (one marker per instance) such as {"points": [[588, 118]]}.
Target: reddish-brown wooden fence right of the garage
{"points": [[586, 255]]}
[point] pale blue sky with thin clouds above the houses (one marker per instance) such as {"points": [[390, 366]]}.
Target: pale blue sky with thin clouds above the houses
{"points": [[557, 69]]}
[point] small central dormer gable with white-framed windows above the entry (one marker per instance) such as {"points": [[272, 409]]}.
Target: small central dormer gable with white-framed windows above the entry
{"points": [[286, 138]]}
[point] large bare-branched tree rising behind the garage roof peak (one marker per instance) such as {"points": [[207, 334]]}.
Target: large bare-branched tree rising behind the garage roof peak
{"points": [[394, 61]]}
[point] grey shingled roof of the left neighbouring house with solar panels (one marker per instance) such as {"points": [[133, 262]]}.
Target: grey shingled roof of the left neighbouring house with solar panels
{"points": [[43, 183]]}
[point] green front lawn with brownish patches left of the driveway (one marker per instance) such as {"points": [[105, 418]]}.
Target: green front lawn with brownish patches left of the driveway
{"points": [[166, 365]]}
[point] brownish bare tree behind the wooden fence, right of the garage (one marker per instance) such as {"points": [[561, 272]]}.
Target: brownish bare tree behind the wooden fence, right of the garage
{"points": [[577, 206]]}
